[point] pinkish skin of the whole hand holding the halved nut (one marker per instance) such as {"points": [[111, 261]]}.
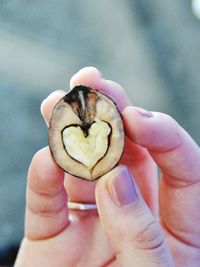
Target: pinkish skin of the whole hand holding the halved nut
{"points": [[128, 230]]}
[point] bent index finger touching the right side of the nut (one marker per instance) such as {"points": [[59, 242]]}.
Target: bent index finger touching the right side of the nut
{"points": [[178, 157]]}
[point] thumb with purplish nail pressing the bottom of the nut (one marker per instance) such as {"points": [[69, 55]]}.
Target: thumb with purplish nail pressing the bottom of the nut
{"points": [[133, 232]]}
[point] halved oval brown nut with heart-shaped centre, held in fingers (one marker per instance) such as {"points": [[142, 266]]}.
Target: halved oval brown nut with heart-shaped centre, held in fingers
{"points": [[86, 133]]}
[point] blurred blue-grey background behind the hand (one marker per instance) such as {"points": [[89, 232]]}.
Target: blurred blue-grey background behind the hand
{"points": [[150, 47]]}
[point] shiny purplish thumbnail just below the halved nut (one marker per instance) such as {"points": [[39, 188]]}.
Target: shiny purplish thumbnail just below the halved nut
{"points": [[121, 187]]}
